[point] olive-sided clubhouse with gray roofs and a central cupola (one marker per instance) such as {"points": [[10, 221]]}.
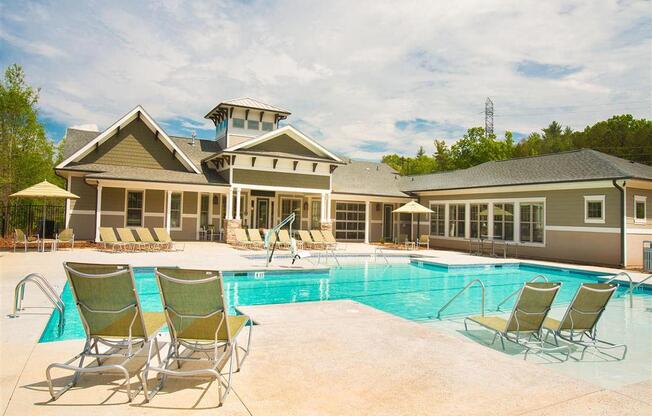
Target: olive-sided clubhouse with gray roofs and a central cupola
{"points": [[578, 206]]}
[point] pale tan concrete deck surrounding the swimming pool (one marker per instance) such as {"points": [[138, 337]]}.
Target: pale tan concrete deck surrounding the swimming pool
{"points": [[336, 357]]}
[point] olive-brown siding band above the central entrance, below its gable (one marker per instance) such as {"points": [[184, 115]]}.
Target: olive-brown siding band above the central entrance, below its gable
{"points": [[295, 180]]}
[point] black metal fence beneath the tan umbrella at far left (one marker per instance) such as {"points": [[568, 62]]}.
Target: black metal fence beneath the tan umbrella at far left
{"points": [[29, 218]]}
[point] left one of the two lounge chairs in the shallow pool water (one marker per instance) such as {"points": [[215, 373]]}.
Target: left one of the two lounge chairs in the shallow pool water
{"points": [[526, 319]]}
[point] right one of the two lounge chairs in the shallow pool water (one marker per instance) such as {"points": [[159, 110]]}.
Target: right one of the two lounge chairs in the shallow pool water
{"points": [[579, 323]]}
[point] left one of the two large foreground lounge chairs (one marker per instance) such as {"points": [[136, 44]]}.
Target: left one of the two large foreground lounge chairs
{"points": [[110, 310]]}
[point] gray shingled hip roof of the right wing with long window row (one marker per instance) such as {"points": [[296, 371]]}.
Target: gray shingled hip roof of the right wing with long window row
{"points": [[572, 166]]}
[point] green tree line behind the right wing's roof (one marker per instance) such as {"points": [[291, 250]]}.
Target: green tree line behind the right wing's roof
{"points": [[621, 135]]}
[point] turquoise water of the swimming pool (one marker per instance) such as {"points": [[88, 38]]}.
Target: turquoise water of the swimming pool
{"points": [[412, 290]]}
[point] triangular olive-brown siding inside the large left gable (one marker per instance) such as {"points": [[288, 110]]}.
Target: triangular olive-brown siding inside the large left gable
{"points": [[135, 145]]}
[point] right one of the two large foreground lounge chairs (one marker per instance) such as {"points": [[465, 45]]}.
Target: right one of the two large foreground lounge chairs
{"points": [[201, 329]]}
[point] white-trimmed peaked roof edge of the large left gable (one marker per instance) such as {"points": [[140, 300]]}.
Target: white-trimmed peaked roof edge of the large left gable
{"points": [[137, 112]]}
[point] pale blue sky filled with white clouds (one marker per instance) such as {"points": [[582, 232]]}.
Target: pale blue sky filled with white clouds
{"points": [[364, 78]]}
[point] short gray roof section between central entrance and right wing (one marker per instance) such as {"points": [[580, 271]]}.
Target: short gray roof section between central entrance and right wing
{"points": [[367, 178]]}
